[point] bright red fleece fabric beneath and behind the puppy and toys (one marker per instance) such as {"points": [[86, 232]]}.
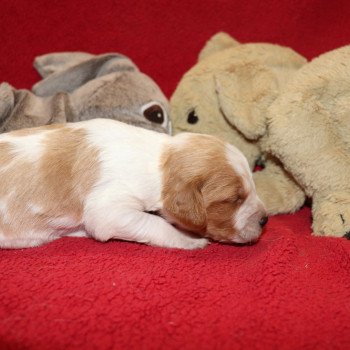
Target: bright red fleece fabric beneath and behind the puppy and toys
{"points": [[289, 291]]}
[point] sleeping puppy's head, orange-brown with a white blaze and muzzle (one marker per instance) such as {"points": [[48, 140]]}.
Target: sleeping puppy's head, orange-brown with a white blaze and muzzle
{"points": [[208, 189]]}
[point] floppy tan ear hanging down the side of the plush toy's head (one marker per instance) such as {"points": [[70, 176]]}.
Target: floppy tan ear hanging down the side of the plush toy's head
{"points": [[244, 93]]}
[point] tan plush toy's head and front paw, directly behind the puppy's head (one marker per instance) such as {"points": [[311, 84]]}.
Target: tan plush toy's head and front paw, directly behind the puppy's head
{"points": [[249, 76]]}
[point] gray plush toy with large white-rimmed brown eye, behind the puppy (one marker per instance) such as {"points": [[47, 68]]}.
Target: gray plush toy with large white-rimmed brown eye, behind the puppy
{"points": [[79, 86]]}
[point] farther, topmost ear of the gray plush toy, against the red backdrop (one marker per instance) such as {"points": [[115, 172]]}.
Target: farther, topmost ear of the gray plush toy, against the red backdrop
{"points": [[59, 61]]}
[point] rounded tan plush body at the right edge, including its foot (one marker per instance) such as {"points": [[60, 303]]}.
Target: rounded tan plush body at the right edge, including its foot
{"points": [[308, 129]]}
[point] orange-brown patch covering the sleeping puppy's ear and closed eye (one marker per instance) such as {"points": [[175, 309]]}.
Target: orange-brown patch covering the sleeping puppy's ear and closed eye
{"points": [[206, 191]]}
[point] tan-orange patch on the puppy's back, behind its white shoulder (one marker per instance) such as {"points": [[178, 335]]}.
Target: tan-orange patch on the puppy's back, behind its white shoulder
{"points": [[67, 173]]}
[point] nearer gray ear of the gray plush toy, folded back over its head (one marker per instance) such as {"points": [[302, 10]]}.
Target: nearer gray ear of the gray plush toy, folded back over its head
{"points": [[67, 80]]}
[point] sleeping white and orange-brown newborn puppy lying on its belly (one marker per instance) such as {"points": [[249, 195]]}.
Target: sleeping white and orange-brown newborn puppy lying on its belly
{"points": [[106, 179]]}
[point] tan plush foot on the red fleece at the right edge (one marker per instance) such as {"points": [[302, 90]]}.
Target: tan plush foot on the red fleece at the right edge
{"points": [[332, 217]]}
